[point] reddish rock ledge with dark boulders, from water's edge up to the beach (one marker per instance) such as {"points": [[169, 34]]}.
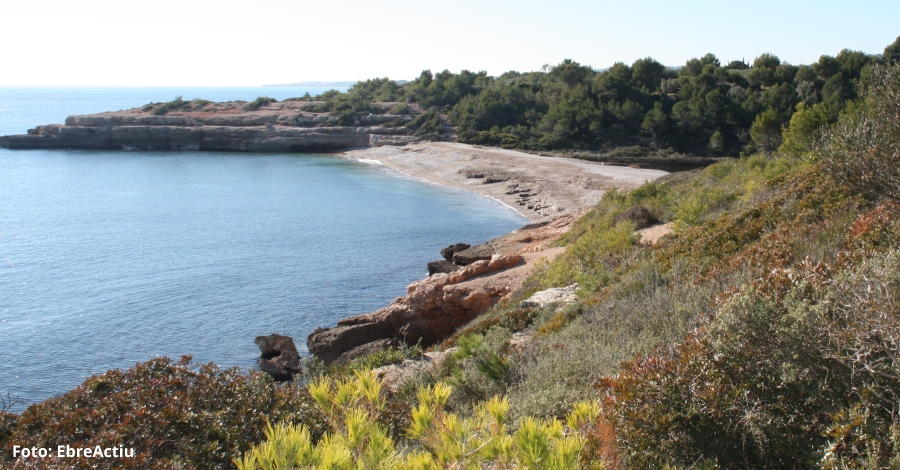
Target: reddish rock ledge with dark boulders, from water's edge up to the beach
{"points": [[434, 308]]}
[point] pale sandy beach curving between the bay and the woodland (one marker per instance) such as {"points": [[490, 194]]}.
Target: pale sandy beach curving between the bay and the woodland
{"points": [[540, 188]]}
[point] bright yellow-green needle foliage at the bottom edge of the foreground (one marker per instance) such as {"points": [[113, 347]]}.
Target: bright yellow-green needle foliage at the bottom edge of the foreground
{"points": [[442, 439]]}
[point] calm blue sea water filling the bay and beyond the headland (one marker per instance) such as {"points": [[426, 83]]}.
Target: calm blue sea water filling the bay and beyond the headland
{"points": [[110, 258]]}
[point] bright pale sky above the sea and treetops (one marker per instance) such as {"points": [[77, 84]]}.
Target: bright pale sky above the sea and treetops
{"points": [[256, 42]]}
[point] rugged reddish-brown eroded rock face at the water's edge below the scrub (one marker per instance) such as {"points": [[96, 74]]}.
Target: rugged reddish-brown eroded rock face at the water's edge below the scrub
{"points": [[431, 311]]}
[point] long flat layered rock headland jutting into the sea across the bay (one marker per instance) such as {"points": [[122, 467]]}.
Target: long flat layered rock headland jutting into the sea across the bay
{"points": [[276, 127]]}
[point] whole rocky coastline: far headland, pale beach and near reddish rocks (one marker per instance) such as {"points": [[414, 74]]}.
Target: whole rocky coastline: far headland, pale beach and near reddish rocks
{"points": [[552, 192]]}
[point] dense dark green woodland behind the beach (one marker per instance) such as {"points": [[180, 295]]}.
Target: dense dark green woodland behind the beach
{"points": [[703, 108]]}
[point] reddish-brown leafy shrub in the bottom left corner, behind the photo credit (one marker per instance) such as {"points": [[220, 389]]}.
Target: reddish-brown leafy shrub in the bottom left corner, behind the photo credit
{"points": [[172, 414]]}
